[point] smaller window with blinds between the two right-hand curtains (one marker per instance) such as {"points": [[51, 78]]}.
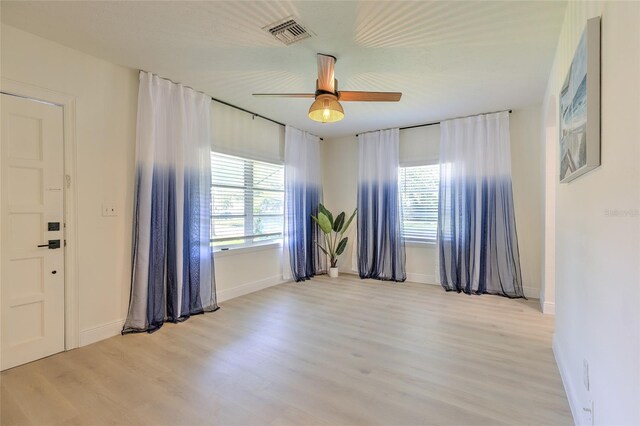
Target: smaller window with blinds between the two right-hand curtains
{"points": [[419, 199]]}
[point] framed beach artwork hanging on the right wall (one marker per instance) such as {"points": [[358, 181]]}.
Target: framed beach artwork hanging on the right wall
{"points": [[580, 107]]}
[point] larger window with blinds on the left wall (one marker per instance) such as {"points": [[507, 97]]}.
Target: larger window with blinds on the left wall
{"points": [[248, 201]]}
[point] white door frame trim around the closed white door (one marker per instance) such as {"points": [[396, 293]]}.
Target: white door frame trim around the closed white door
{"points": [[68, 104]]}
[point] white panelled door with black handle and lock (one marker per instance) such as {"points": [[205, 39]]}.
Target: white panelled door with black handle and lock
{"points": [[32, 199]]}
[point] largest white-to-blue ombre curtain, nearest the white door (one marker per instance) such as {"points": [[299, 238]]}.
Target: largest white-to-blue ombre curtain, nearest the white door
{"points": [[173, 275]]}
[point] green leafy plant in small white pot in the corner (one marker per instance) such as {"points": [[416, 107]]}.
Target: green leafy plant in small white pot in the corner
{"points": [[334, 240]]}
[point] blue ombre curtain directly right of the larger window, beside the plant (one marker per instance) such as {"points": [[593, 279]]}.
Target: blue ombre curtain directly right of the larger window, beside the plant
{"points": [[303, 194]]}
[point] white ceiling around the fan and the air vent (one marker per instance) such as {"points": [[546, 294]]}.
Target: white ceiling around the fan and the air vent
{"points": [[448, 58]]}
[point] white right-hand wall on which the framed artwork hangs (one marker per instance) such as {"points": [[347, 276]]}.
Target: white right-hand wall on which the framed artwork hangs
{"points": [[597, 252]]}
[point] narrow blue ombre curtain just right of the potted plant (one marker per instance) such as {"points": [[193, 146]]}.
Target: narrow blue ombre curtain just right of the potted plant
{"points": [[381, 253]]}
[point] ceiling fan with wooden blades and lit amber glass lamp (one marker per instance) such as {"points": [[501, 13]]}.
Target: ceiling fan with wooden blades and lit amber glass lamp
{"points": [[326, 108]]}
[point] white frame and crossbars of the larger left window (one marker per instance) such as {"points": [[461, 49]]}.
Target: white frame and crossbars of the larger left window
{"points": [[248, 209]]}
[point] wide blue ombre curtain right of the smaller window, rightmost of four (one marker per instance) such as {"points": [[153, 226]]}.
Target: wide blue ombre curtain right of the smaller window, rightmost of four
{"points": [[478, 243]]}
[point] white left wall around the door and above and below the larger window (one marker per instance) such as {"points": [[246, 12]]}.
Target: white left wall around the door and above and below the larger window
{"points": [[106, 108]]}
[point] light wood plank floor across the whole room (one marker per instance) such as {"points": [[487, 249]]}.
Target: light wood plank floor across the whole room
{"points": [[327, 352]]}
